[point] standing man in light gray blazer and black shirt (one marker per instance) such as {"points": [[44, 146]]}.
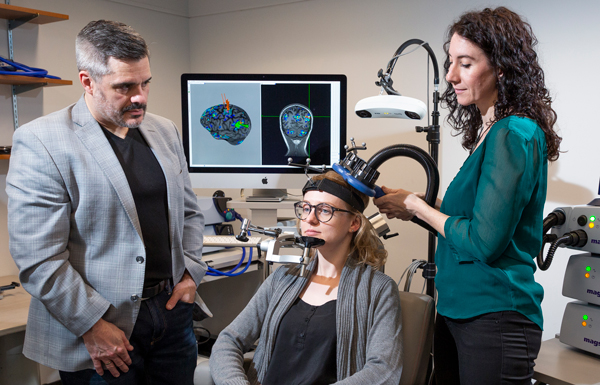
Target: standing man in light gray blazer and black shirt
{"points": [[104, 225]]}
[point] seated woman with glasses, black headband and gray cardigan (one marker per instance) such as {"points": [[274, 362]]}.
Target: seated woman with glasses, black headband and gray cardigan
{"points": [[339, 323]]}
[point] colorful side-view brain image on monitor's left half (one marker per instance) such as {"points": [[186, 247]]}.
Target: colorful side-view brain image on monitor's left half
{"points": [[227, 122]]}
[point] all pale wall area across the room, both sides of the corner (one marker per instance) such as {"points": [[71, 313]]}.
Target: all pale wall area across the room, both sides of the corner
{"points": [[352, 37]]}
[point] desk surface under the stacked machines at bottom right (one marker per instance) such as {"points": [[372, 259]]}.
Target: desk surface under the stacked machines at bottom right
{"points": [[560, 364]]}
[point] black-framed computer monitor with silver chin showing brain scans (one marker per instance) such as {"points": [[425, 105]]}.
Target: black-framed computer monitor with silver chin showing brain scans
{"points": [[239, 130]]}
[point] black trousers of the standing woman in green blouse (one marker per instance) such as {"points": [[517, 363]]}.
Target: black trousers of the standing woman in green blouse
{"points": [[490, 349]]}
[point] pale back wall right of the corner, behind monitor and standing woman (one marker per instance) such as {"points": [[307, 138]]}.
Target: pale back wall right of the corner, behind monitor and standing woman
{"points": [[357, 38]]}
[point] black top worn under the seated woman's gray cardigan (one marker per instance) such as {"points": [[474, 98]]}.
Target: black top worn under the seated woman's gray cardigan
{"points": [[305, 347]]}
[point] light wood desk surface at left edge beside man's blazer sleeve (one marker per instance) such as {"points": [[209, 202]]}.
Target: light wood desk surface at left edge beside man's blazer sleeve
{"points": [[14, 307]]}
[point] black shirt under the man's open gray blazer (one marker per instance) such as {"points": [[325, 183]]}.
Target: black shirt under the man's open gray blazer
{"points": [[149, 189]]}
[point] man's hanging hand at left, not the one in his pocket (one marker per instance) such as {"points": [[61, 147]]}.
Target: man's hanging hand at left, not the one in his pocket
{"points": [[107, 344]]}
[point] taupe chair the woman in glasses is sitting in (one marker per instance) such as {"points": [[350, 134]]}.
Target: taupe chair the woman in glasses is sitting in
{"points": [[418, 312]]}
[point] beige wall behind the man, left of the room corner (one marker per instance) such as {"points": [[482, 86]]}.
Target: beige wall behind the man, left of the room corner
{"points": [[52, 46]]}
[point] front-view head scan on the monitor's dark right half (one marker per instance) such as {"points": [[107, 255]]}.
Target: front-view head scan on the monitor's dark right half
{"points": [[296, 123]]}
